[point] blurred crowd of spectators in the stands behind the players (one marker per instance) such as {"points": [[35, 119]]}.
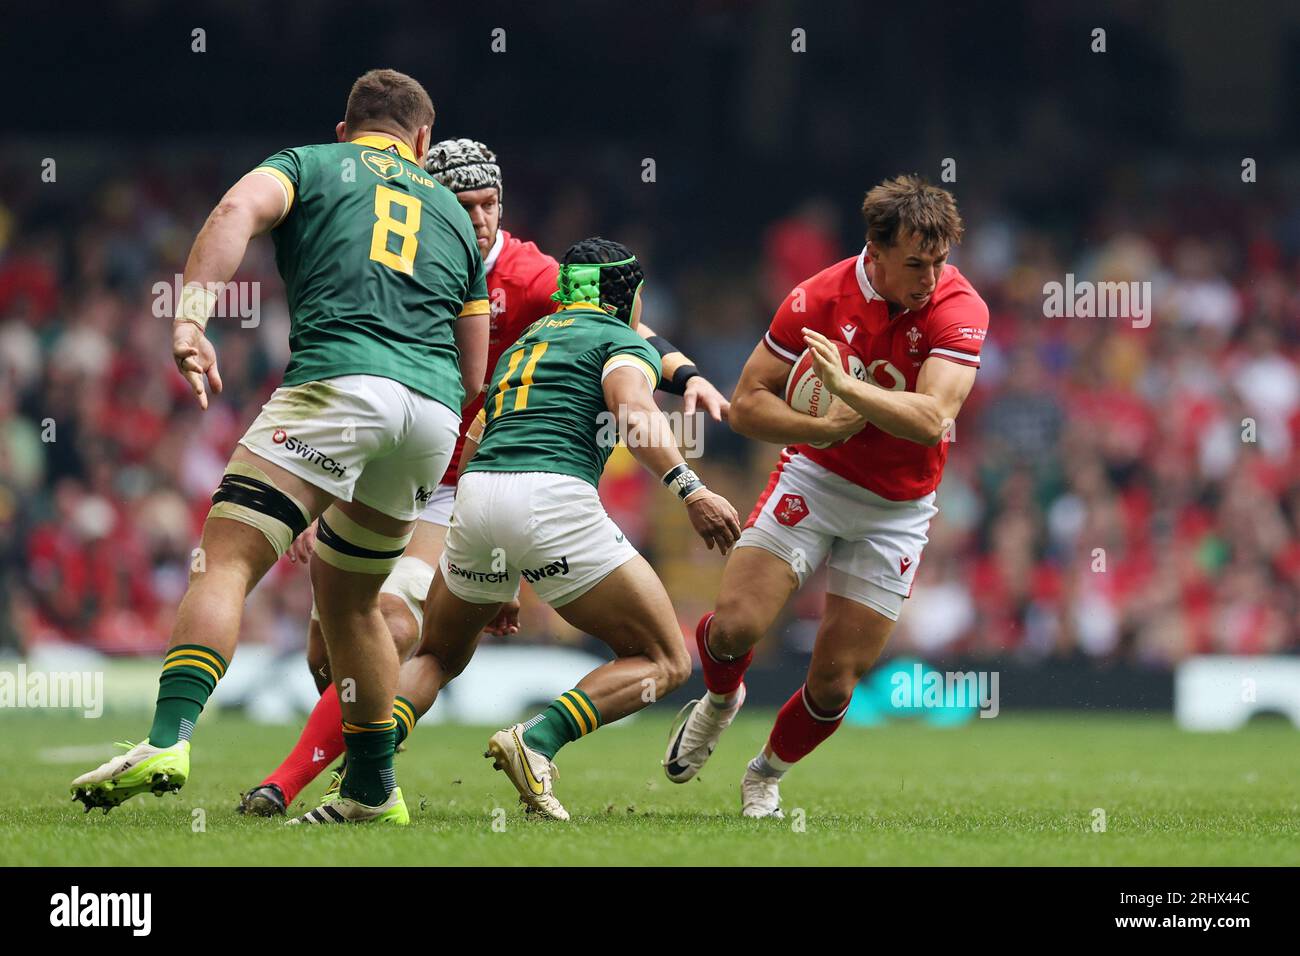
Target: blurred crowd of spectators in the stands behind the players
{"points": [[1113, 492]]}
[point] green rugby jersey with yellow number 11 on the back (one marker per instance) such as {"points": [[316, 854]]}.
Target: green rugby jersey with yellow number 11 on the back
{"points": [[545, 408]]}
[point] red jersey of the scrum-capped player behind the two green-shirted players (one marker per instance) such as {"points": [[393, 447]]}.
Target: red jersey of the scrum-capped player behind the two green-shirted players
{"points": [[521, 283]]}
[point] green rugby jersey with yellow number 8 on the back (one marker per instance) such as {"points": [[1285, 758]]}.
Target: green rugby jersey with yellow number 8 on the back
{"points": [[379, 261]]}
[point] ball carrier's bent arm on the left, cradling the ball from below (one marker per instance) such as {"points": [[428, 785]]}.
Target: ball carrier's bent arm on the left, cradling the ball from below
{"points": [[760, 409]]}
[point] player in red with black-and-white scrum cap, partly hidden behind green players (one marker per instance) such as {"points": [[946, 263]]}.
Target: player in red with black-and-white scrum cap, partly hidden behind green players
{"points": [[521, 283]]}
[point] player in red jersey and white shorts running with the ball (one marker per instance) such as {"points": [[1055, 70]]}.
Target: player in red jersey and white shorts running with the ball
{"points": [[863, 503]]}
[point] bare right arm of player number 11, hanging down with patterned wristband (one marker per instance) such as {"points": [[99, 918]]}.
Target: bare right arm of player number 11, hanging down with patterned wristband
{"points": [[627, 395]]}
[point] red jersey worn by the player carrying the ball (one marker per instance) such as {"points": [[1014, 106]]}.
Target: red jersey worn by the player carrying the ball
{"points": [[840, 304]]}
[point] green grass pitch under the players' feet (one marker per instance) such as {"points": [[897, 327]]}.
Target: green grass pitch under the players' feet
{"points": [[1020, 790]]}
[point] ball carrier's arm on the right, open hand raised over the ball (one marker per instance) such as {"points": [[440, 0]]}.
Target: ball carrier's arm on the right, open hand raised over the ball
{"points": [[922, 417]]}
